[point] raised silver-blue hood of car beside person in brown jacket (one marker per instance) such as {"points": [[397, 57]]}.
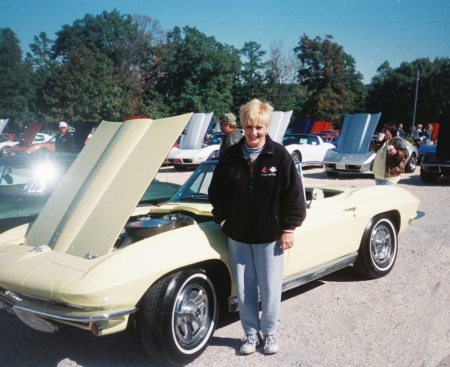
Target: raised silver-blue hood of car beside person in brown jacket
{"points": [[356, 133]]}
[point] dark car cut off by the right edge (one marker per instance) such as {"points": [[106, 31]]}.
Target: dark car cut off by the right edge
{"points": [[436, 162]]}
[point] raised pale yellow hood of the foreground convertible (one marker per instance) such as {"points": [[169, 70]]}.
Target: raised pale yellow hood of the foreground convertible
{"points": [[94, 200]]}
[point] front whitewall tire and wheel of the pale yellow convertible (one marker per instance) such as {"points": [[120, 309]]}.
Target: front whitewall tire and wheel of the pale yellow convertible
{"points": [[179, 316]]}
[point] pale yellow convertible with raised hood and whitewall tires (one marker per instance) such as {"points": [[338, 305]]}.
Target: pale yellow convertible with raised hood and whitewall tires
{"points": [[85, 263]]}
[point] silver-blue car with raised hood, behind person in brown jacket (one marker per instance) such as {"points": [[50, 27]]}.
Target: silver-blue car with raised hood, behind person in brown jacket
{"points": [[353, 154]]}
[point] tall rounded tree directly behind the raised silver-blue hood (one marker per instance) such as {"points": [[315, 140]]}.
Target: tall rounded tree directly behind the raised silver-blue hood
{"points": [[332, 83]]}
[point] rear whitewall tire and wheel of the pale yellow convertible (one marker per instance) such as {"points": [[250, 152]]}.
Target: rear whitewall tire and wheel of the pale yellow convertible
{"points": [[378, 249]]}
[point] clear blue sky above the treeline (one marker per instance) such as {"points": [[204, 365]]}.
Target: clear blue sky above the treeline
{"points": [[372, 31]]}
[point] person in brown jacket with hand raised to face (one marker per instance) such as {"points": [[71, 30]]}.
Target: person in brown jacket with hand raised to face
{"points": [[390, 158]]}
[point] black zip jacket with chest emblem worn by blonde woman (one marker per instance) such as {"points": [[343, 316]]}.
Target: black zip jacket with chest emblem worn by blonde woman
{"points": [[257, 209]]}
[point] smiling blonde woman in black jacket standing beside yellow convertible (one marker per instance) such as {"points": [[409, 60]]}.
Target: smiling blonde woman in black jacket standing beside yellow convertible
{"points": [[257, 197]]}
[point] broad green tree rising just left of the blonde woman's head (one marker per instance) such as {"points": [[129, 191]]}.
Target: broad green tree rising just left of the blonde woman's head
{"points": [[198, 73]]}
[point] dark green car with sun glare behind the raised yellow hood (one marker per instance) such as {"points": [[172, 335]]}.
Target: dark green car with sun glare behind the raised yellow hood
{"points": [[27, 181]]}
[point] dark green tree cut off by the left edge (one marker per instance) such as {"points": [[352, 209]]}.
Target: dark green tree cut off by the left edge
{"points": [[15, 81]]}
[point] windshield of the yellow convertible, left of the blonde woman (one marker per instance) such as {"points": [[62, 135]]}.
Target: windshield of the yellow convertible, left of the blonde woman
{"points": [[196, 187]]}
